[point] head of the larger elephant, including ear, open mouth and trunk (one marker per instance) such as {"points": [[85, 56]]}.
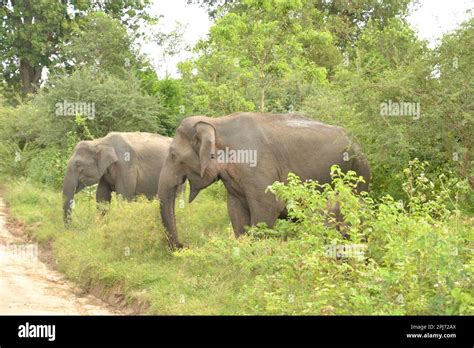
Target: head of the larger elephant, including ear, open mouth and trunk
{"points": [[190, 157]]}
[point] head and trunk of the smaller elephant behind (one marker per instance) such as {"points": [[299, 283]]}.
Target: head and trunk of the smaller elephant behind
{"points": [[87, 165]]}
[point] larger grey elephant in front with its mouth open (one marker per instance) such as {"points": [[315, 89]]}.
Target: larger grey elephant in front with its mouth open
{"points": [[205, 150]]}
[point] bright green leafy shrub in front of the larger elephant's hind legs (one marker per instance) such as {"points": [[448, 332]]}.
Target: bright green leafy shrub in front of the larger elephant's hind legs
{"points": [[393, 257]]}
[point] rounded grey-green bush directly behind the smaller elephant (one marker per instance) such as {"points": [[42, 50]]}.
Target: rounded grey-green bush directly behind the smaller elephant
{"points": [[119, 104]]}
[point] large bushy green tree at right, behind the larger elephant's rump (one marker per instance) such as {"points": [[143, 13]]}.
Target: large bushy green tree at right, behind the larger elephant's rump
{"points": [[403, 72]]}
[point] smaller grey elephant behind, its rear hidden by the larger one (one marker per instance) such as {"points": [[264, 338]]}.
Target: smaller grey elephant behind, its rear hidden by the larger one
{"points": [[127, 163]]}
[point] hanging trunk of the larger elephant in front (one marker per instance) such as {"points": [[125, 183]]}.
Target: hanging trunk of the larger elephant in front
{"points": [[167, 194]]}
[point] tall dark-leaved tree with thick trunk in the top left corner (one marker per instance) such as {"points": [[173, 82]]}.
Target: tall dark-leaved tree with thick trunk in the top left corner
{"points": [[32, 31]]}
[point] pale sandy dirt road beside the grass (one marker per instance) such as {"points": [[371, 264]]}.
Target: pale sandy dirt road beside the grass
{"points": [[29, 287]]}
